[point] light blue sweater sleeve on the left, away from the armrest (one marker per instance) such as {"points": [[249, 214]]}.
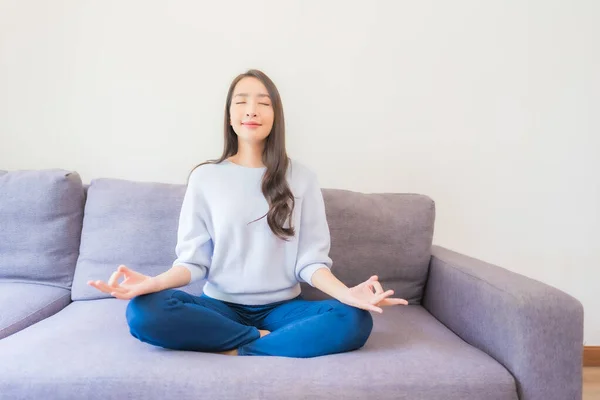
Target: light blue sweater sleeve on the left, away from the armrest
{"points": [[194, 244]]}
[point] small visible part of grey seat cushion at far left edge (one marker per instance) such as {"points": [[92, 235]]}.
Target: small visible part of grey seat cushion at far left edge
{"points": [[24, 304]]}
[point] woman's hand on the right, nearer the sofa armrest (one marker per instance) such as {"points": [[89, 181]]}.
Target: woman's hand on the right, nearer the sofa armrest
{"points": [[370, 296]]}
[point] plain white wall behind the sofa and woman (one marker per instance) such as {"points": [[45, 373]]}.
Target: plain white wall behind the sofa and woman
{"points": [[491, 108]]}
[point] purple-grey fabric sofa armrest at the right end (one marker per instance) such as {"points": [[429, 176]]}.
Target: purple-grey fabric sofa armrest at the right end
{"points": [[533, 329]]}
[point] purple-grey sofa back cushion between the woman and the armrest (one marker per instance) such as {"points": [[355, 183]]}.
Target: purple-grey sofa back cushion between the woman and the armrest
{"points": [[383, 234]]}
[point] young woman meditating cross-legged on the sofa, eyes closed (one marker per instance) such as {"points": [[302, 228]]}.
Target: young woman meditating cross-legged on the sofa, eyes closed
{"points": [[253, 225]]}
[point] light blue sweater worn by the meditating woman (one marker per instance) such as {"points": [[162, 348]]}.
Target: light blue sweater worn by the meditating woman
{"points": [[245, 262]]}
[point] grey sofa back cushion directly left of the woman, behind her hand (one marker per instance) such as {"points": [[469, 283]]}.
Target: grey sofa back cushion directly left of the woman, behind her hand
{"points": [[127, 222]]}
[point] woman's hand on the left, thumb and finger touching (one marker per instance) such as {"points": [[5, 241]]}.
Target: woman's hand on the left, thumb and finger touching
{"points": [[134, 284]]}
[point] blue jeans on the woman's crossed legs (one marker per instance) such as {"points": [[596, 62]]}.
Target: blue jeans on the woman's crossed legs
{"points": [[299, 328]]}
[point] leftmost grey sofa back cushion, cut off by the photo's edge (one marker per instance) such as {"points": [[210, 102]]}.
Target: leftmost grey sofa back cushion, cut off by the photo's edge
{"points": [[41, 214]]}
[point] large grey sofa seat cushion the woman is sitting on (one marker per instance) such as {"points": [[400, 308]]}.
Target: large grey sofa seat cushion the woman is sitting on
{"points": [[86, 351]]}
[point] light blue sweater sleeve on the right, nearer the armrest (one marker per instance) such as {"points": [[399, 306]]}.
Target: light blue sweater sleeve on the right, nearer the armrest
{"points": [[313, 236]]}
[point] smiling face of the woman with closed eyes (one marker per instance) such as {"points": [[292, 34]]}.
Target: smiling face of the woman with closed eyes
{"points": [[251, 111]]}
